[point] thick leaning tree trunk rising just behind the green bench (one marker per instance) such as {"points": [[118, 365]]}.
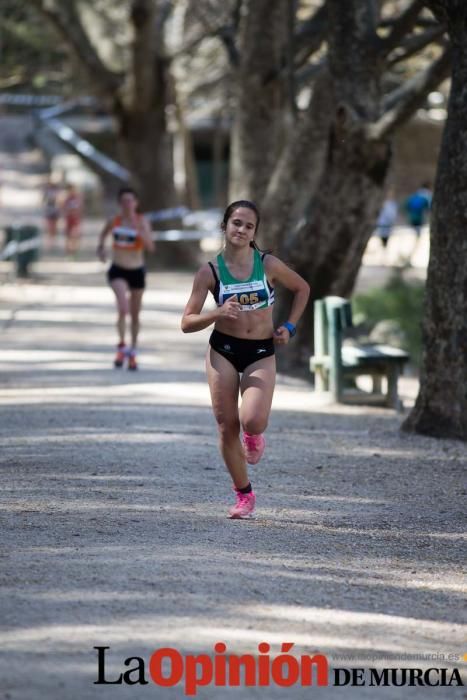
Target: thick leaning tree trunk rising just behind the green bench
{"points": [[328, 250]]}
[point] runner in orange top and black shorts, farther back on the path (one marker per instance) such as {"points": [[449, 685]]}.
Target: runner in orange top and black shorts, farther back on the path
{"points": [[131, 235]]}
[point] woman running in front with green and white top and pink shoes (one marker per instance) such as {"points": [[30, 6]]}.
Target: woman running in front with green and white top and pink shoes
{"points": [[240, 358]]}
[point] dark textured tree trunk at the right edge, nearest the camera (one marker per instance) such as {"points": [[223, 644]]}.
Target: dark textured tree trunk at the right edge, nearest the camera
{"points": [[441, 406]]}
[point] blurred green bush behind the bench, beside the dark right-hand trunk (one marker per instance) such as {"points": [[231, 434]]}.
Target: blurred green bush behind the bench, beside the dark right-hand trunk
{"points": [[399, 301]]}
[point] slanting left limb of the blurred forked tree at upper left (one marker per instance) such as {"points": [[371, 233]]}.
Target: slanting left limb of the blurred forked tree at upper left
{"points": [[68, 23]]}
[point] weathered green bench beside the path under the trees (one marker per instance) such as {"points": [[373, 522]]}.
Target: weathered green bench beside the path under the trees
{"points": [[333, 363]]}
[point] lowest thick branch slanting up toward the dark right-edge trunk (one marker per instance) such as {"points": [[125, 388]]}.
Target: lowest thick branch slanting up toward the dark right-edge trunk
{"points": [[403, 102]]}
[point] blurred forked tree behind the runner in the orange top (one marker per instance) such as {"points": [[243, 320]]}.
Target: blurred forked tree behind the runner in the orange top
{"points": [[121, 49]]}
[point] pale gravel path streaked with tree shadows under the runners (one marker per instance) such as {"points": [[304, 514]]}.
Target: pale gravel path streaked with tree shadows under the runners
{"points": [[114, 501]]}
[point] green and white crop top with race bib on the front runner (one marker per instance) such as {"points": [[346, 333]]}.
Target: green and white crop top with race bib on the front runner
{"points": [[253, 293]]}
